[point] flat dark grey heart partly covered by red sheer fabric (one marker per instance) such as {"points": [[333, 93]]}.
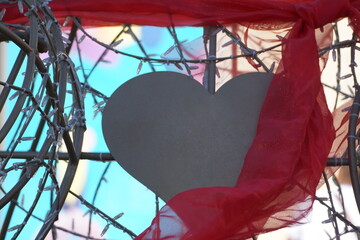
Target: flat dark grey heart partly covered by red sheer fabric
{"points": [[169, 133]]}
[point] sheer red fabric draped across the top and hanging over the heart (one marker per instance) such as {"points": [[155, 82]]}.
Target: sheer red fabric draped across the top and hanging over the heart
{"points": [[277, 184]]}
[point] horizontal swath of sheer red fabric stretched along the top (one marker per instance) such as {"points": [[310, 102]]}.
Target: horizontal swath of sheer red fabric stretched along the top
{"points": [[258, 13]]}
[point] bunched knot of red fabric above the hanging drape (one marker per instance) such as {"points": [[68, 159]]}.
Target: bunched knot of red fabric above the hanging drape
{"points": [[322, 12]]}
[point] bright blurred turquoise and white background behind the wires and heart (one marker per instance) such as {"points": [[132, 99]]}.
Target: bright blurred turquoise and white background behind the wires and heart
{"points": [[105, 184]]}
